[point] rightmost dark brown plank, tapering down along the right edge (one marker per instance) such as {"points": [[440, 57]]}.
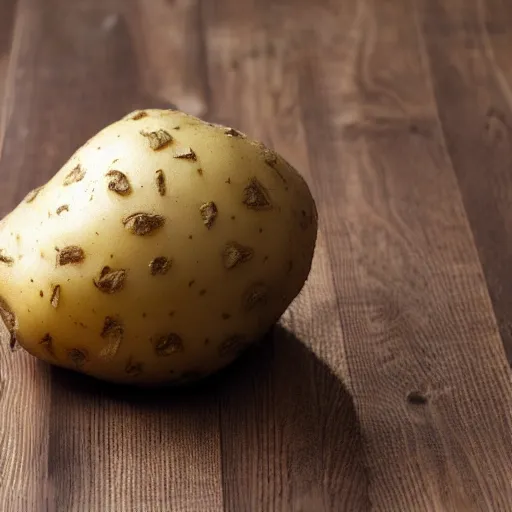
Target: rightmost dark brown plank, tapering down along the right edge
{"points": [[469, 58]]}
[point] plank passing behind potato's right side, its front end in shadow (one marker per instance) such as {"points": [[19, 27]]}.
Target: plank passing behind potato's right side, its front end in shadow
{"points": [[290, 437]]}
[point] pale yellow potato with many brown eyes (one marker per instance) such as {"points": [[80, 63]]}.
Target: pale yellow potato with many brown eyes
{"points": [[161, 250]]}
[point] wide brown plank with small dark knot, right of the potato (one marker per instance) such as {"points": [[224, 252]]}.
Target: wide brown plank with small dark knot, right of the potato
{"points": [[428, 372]]}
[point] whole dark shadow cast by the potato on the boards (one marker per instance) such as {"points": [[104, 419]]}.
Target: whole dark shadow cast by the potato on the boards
{"points": [[288, 428]]}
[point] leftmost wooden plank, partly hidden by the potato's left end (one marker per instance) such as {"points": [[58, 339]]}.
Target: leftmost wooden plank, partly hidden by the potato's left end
{"points": [[24, 425]]}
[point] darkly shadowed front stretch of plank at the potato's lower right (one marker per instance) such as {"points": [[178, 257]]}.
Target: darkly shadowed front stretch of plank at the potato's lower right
{"points": [[290, 433]]}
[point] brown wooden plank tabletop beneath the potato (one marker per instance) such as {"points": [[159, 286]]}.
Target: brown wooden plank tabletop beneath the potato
{"points": [[387, 386]]}
